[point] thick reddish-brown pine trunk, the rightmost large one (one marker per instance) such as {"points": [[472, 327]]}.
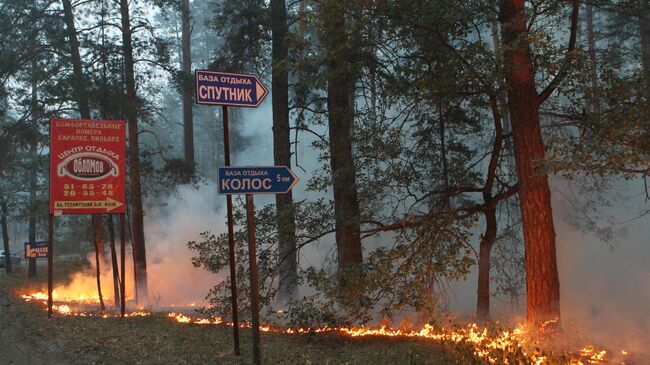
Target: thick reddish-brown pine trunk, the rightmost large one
{"points": [[542, 282]]}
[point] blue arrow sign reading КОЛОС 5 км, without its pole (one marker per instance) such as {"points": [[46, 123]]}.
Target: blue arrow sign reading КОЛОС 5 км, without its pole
{"points": [[256, 180]]}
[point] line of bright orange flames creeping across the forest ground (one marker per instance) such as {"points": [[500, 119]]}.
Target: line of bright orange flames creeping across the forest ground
{"points": [[487, 345]]}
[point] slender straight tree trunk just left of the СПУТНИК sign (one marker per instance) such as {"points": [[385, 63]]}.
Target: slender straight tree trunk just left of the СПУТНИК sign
{"points": [[188, 124]]}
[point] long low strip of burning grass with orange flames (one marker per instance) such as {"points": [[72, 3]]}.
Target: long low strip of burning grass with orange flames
{"points": [[470, 342]]}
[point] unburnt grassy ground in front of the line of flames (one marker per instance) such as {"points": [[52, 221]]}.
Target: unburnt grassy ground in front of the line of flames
{"points": [[28, 337]]}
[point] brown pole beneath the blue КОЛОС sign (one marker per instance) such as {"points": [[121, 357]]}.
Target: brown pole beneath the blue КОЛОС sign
{"points": [[252, 261]]}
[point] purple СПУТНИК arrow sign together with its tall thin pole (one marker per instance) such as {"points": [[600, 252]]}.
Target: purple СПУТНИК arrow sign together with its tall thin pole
{"points": [[228, 89]]}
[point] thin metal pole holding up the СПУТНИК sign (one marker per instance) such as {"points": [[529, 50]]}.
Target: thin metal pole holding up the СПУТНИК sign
{"points": [[231, 236]]}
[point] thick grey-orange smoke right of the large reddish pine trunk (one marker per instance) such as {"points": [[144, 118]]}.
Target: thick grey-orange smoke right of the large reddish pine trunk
{"points": [[605, 286]]}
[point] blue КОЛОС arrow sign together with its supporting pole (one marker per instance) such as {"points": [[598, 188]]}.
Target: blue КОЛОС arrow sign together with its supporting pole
{"points": [[251, 180]]}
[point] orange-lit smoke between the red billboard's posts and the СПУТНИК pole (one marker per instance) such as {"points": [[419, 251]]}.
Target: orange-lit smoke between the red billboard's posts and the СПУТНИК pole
{"points": [[171, 277]]}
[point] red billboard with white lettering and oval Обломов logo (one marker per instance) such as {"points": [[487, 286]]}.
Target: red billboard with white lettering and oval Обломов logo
{"points": [[87, 166]]}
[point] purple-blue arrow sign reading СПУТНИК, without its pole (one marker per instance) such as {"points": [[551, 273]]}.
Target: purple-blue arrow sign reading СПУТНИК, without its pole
{"points": [[221, 88]]}
